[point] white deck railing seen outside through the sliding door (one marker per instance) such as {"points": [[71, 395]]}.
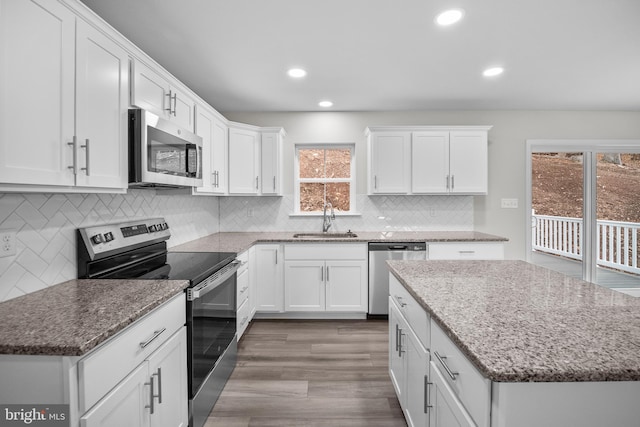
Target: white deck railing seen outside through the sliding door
{"points": [[617, 241]]}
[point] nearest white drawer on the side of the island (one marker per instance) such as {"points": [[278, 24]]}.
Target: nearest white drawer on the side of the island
{"points": [[473, 389]]}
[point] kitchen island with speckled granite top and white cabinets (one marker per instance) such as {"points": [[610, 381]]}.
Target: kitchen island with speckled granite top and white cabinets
{"points": [[510, 343]]}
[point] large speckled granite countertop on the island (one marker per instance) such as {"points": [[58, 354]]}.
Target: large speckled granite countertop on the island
{"points": [[518, 322]]}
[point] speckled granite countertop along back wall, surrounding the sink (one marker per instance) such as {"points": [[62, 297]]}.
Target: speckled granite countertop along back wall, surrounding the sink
{"points": [[241, 241]]}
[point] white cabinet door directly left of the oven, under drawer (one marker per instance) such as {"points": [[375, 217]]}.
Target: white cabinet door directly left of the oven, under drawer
{"points": [[168, 371]]}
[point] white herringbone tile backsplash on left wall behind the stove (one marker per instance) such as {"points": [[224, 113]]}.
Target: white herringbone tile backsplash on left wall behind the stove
{"points": [[46, 226]]}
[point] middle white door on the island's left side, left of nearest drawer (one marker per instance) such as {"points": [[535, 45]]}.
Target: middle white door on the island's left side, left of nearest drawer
{"points": [[417, 380]]}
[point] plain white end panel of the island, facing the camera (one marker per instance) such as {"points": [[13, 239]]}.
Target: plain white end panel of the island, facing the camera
{"points": [[556, 404]]}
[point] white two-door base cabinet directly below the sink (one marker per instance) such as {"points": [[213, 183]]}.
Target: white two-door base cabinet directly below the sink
{"points": [[326, 277]]}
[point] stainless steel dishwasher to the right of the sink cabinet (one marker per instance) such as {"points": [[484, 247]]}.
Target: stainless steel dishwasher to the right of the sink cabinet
{"points": [[379, 273]]}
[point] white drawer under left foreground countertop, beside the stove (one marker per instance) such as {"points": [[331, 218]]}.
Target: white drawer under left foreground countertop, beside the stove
{"points": [[108, 364]]}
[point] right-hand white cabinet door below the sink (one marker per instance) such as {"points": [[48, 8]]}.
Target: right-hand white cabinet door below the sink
{"points": [[347, 286]]}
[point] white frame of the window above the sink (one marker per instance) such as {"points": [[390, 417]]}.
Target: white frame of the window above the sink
{"points": [[297, 180]]}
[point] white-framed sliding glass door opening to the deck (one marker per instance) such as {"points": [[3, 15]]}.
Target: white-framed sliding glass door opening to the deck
{"points": [[584, 209]]}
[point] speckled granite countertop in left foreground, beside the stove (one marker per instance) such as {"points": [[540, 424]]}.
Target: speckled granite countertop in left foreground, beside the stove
{"points": [[71, 318]]}
